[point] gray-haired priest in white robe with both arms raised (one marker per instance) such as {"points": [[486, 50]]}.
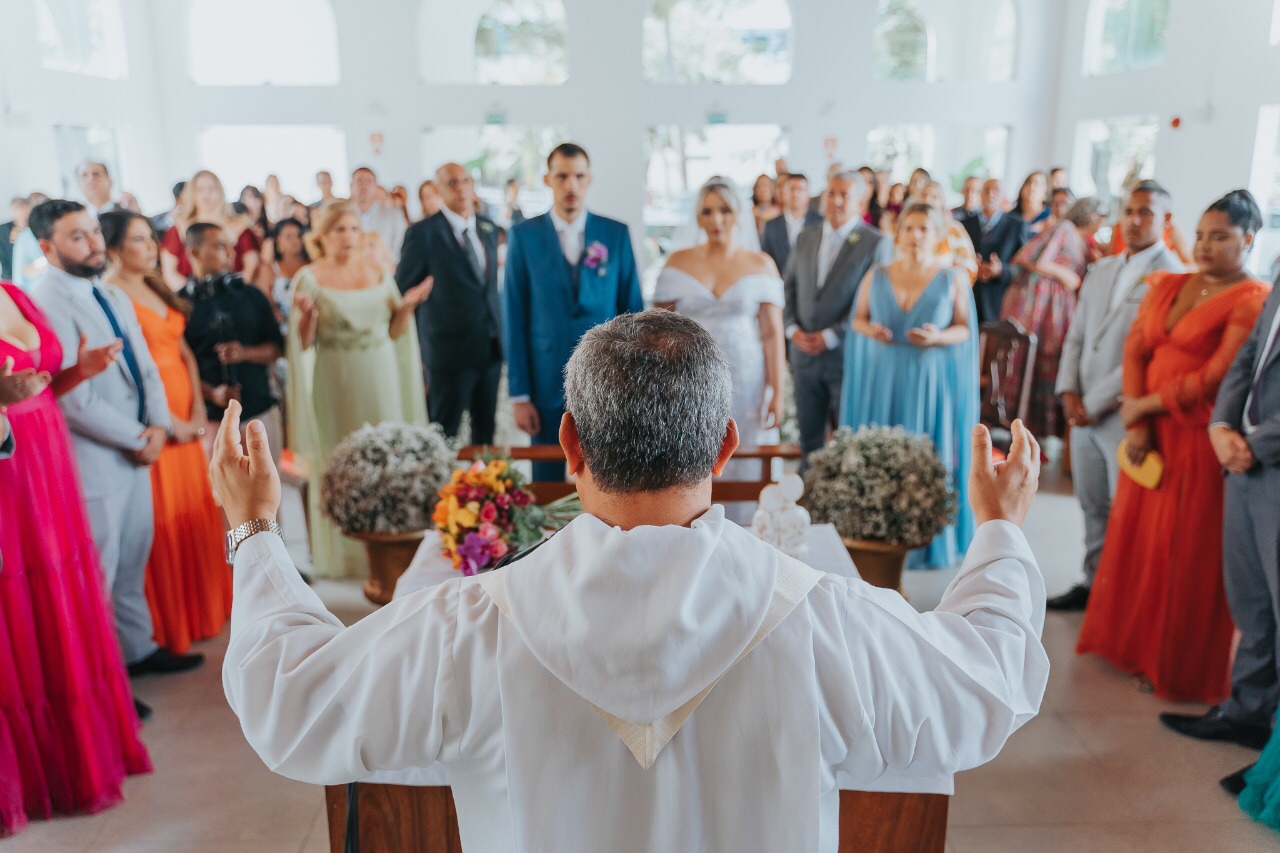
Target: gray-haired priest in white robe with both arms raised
{"points": [[653, 677]]}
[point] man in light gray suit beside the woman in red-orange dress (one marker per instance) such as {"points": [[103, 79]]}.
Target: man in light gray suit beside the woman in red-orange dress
{"points": [[1089, 375]]}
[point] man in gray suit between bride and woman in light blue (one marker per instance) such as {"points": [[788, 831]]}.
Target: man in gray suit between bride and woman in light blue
{"points": [[822, 280]]}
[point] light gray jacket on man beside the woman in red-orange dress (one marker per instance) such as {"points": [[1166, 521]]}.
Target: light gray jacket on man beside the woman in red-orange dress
{"points": [[1092, 361]]}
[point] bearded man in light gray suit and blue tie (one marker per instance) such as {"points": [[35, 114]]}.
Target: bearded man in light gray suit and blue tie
{"points": [[120, 421]]}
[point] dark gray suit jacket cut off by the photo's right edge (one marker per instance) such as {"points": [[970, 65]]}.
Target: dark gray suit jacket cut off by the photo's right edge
{"points": [[1235, 391]]}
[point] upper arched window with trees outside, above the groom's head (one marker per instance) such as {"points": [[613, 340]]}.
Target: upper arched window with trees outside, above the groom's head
{"points": [[522, 43]]}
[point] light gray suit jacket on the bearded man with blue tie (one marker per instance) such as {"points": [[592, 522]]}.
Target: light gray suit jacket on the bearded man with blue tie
{"points": [[102, 412]]}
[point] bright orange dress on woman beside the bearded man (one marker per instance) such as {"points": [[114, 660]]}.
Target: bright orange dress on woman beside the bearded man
{"points": [[189, 582]]}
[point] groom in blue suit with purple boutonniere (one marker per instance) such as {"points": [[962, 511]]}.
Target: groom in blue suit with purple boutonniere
{"points": [[568, 271]]}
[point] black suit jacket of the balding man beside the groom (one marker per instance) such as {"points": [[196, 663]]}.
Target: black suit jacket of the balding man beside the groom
{"points": [[460, 325]]}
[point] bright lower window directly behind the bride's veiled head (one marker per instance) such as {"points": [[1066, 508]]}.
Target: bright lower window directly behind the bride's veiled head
{"points": [[679, 161]]}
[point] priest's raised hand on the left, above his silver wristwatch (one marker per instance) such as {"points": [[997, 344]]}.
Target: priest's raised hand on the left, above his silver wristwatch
{"points": [[246, 485]]}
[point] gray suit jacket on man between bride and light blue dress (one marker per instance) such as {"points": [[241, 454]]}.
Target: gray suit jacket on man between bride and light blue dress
{"points": [[816, 309]]}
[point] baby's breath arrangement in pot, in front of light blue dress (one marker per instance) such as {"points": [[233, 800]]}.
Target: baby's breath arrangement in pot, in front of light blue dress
{"points": [[880, 483]]}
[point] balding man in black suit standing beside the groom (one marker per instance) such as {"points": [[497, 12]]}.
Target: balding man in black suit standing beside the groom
{"points": [[460, 323]]}
